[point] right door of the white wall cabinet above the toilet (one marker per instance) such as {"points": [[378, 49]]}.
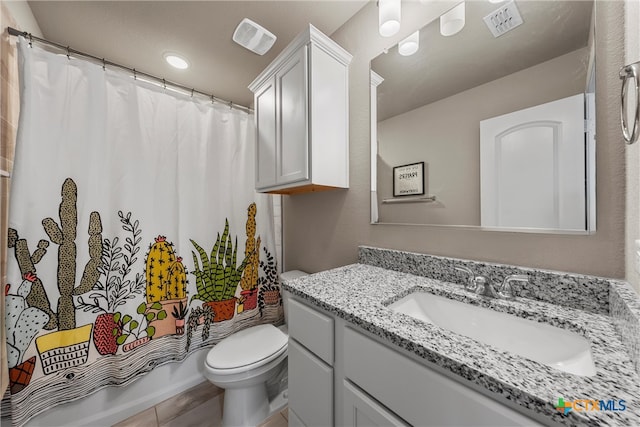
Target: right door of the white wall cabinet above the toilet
{"points": [[293, 148]]}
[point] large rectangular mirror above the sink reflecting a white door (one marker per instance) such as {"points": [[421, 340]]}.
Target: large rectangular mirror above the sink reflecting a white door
{"points": [[505, 125]]}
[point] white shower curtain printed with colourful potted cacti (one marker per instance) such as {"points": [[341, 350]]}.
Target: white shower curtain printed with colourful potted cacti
{"points": [[135, 236]]}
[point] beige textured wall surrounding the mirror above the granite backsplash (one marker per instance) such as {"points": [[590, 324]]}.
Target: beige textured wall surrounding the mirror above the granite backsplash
{"points": [[323, 230]]}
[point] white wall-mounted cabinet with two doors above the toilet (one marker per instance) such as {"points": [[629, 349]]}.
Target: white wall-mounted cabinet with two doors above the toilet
{"points": [[301, 114]]}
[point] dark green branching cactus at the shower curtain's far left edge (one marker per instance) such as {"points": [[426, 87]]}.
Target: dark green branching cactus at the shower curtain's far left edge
{"points": [[27, 264]]}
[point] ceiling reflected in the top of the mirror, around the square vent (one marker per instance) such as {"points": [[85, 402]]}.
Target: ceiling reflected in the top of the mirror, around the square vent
{"points": [[444, 66]]}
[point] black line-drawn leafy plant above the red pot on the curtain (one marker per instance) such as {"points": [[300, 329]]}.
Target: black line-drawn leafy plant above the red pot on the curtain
{"points": [[115, 286]]}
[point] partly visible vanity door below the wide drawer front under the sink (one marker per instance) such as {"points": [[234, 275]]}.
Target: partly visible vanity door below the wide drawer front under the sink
{"points": [[362, 411]]}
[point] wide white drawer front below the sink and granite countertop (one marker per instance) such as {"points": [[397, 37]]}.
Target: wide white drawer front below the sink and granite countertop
{"points": [[416, 393]]}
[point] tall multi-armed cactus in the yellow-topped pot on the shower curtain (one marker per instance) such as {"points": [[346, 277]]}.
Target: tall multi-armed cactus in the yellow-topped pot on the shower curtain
{"points": [[64, 235]]}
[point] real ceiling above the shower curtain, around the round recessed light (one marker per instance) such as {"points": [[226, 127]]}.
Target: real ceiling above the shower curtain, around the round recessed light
{"points": [[137, 34]]}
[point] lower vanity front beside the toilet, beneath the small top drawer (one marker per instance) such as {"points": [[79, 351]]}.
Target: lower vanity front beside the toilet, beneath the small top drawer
{"points": [[310, 387]]}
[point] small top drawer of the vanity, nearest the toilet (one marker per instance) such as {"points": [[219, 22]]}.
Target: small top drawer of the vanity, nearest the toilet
{"points": [[312, 329]]}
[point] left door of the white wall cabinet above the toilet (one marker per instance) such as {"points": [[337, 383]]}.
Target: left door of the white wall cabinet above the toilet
{"points": [[265, 102]]}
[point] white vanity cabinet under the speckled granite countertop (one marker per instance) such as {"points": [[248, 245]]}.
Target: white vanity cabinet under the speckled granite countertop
{"points": [[340, 375]]}
